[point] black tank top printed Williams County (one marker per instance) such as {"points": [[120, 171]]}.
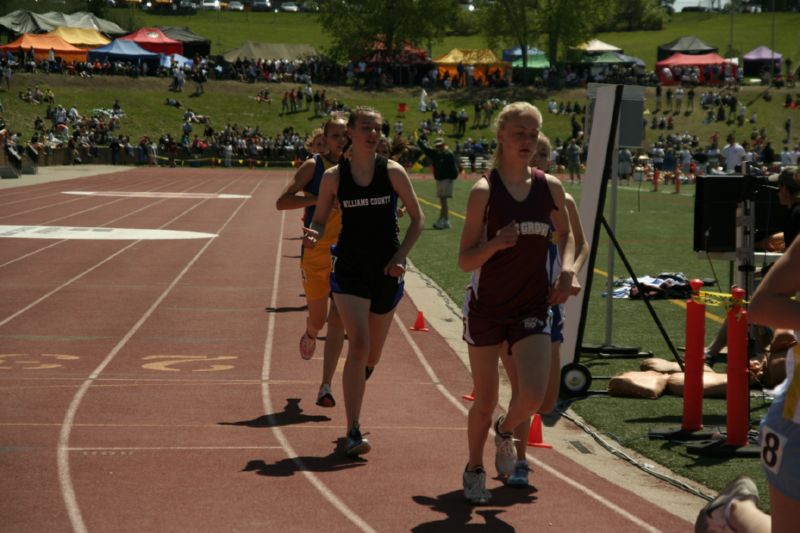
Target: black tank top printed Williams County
{"points": [[370, 233]]}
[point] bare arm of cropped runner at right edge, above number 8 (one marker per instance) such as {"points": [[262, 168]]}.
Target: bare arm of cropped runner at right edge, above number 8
{"points": [[771, 304]]}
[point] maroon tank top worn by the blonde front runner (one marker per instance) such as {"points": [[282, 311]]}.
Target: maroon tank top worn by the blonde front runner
{"points": [[513, 283]]}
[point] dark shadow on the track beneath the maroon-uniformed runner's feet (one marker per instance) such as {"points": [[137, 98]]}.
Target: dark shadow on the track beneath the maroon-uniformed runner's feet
{"points": [[459, 512]]}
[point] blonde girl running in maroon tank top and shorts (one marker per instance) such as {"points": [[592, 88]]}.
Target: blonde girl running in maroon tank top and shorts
{"points": [[505, 245]]}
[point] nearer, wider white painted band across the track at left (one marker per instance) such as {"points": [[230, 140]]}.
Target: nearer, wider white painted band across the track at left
{"points": [[98, 233]]}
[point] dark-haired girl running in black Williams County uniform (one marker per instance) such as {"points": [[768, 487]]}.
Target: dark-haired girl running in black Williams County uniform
{"points": [[368, 259]]}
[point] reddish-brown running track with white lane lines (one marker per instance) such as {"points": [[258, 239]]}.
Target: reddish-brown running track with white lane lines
{"points": [[155, 385]]}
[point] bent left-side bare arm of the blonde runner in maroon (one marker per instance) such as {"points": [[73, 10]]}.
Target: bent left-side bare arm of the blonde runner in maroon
{"points": [[474, 250]]}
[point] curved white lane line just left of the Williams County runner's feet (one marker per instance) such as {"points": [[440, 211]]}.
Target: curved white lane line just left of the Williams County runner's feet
{"points": [[323, 489]]}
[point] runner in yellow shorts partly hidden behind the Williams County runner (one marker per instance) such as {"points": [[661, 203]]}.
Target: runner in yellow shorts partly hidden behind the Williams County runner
{"points": [[315, 264]]}
